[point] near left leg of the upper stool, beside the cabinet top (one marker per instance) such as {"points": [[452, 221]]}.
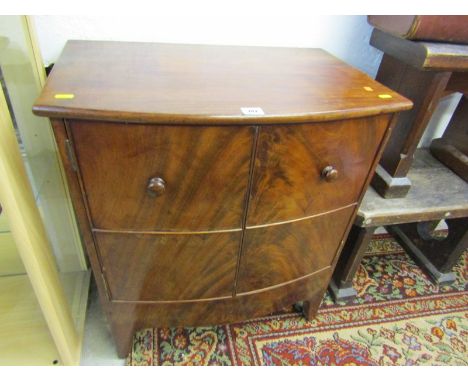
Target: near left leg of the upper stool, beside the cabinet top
{"points": [[424, 88]]}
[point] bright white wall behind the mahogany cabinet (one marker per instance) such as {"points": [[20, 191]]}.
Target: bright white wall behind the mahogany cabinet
{"points": [[346, 37]]}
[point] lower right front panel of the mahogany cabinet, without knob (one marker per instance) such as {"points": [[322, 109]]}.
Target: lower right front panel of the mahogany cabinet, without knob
{"points": [[281, 253]]}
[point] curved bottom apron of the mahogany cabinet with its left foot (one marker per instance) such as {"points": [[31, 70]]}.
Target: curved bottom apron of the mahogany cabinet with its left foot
{"points": [[130, 317]]}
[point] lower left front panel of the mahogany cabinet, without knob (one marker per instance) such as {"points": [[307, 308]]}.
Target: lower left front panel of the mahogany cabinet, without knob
{"points": [[173, 267]]}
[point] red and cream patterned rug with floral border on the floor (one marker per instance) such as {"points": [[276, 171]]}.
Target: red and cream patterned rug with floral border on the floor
{"points": [[399, 318]]}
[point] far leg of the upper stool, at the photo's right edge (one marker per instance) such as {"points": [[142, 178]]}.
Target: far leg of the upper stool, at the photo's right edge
{"points": [[452, 148]]}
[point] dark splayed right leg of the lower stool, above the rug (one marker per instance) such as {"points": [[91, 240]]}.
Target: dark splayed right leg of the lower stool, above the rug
{"points": [[436, 256]]}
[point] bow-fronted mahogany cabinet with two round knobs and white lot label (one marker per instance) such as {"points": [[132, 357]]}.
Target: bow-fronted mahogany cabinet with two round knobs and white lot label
{"points": [[212, 184]]}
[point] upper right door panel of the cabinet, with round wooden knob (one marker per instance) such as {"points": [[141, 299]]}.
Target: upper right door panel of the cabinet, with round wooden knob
{"points": [[303, 170]]}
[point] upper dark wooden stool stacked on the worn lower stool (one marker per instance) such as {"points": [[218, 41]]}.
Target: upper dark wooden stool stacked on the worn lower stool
{"points": [[423, 72]]}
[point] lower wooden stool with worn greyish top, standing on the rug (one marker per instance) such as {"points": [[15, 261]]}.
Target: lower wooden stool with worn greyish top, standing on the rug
{"points": [[436, 194]]}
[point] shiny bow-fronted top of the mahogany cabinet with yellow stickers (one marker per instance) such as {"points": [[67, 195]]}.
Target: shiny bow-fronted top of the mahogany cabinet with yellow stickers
{"points": [[202, 84]]}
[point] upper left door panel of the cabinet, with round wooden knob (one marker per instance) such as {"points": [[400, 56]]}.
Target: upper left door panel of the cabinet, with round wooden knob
{"points": [[163, 178]]}
